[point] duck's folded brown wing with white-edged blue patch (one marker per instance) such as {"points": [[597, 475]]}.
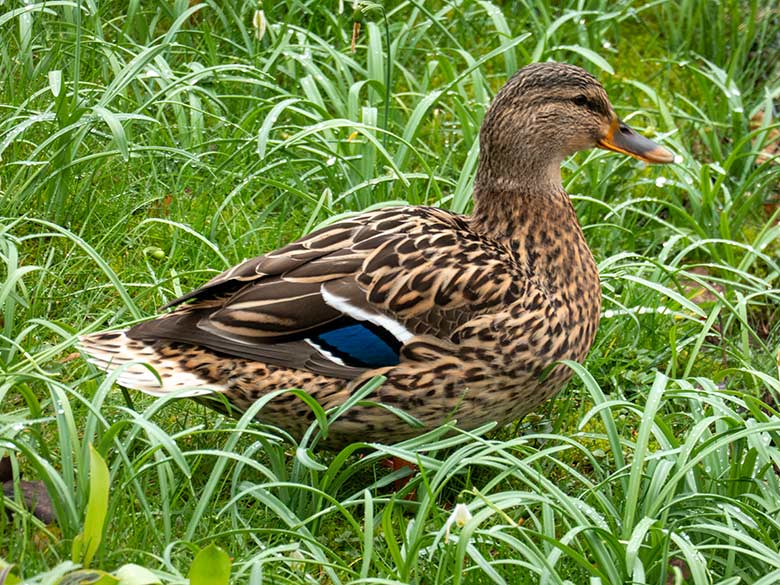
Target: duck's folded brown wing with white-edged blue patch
{"points": [[341, 300]]}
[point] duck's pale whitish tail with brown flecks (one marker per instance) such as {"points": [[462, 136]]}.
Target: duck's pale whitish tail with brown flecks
{"points": [[113, 350]]}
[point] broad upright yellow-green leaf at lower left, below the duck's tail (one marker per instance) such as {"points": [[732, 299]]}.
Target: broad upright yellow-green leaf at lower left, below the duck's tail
{"points": [[85, 545]]}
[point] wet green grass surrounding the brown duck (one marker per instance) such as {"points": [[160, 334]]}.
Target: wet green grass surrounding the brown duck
{"points": [[146, 146]]}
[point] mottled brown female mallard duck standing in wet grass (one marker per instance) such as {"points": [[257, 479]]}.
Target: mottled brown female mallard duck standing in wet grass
{"points": [[461, 314]]}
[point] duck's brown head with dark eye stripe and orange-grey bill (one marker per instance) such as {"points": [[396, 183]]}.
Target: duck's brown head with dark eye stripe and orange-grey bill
{"points": [[546, 112]]}
